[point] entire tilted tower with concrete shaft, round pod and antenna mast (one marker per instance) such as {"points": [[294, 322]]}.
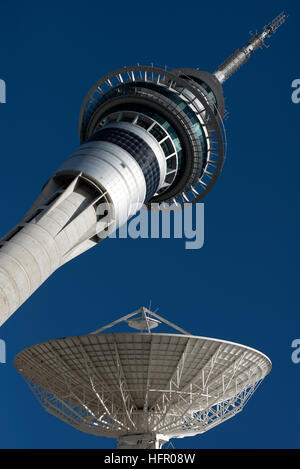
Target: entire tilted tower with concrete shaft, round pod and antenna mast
{"points": [[147, 136]]}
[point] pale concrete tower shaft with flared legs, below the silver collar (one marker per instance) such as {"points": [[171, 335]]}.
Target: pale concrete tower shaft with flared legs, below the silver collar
{"points": [[43, 241]]}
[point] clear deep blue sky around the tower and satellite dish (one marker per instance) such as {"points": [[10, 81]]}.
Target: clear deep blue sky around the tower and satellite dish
{"points": [[243, 285]]}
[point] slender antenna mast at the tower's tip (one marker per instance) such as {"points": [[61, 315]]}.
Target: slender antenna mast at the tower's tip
{"points": [[241, 55]]}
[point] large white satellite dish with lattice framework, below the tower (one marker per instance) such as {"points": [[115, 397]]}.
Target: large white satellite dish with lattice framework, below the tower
{"points": [[142, 388]]}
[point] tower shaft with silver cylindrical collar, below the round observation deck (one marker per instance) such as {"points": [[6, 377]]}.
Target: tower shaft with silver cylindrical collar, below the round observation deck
{"points": [[96, 190]]}
